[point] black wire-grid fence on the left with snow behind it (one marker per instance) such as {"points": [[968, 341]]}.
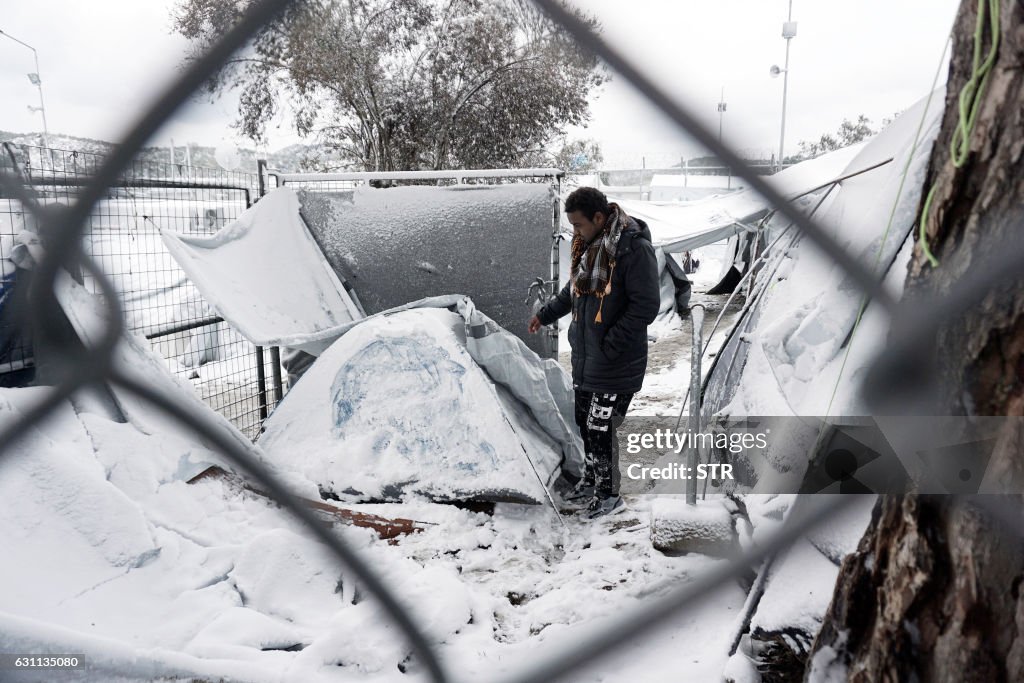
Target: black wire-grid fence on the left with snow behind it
{"points": [[157, 300]]}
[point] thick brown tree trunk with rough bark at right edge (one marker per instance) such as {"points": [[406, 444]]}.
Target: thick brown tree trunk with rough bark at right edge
{"points": [[934, 591]]}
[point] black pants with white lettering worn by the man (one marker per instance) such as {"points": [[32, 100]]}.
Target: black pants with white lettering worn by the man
{"points": [[598, 416]]}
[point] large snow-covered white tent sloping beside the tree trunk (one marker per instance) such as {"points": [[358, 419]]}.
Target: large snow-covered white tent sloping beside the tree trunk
{"points": [[801, 346]]}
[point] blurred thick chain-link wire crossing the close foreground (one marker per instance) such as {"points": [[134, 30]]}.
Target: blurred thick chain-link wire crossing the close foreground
{"points": [[66, 227]]}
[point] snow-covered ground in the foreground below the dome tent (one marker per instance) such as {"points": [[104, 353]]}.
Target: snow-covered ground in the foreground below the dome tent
{"points": [[115, 557]]}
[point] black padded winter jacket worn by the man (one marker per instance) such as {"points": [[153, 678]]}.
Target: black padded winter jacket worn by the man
{"points": [[611, 357]]}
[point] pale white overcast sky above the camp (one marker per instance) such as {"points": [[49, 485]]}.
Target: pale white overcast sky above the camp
{"points": [[102, 60]]}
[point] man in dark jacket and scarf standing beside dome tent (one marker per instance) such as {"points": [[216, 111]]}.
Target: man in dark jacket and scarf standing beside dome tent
{"points": [[614, 295]]}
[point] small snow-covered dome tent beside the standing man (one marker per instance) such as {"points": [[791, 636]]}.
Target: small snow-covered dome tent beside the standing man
{"points": [[434, 399]]}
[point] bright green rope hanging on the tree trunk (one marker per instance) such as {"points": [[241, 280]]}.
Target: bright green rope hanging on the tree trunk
{"points": [[968, 103]]}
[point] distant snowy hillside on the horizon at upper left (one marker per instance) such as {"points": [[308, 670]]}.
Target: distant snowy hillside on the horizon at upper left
{"points": [[293, 159]]}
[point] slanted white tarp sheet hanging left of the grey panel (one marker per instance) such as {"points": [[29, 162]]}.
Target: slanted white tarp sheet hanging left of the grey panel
{"points": [[266, 276]]}
